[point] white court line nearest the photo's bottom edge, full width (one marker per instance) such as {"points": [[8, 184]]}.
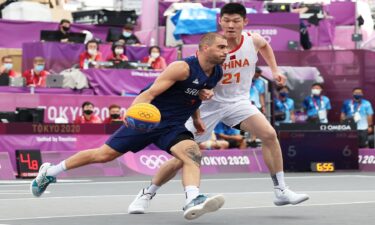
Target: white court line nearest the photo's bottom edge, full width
{"points": [[179, 211]]}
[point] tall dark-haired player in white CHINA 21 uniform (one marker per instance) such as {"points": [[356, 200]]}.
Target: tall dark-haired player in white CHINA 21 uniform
{"points": [[231, 105]]}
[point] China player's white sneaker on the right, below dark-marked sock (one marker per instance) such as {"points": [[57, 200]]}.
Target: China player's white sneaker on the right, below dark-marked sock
{"points": [[286, 196]]}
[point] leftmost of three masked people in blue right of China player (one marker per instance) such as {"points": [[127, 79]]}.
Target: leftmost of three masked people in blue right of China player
{"points": [[284, 107]]}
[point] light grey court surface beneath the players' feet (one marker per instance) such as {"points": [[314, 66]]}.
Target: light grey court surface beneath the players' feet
{"points": [[337, 198]]}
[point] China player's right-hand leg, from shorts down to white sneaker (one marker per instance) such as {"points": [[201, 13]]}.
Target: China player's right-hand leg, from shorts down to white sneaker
{"points": [[257, 124]]}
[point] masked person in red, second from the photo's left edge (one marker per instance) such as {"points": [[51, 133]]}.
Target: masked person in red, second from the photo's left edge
{"points": [[37, 76]]}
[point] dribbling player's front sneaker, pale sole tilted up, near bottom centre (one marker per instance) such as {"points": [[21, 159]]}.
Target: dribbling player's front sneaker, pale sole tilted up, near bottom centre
{"points": [[202, 204]]}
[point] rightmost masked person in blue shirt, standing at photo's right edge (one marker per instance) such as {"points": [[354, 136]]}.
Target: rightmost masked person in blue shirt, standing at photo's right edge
{"points": [[360, 111]]}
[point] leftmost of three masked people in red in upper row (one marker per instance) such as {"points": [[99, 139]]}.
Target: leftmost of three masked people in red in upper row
{"points": [[92, 55]]}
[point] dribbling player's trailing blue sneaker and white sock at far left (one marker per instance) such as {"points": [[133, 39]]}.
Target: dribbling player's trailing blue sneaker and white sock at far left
{"points": [[41, 182]]}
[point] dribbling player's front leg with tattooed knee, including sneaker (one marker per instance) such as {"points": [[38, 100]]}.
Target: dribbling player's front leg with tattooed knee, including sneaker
{"points": [[196, 204]]}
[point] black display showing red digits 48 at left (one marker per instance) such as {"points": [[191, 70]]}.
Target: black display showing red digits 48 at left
{"points": [[28, 163]]}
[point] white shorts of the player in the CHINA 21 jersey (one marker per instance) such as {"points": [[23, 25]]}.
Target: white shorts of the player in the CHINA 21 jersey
{"points": [[213, 112]]}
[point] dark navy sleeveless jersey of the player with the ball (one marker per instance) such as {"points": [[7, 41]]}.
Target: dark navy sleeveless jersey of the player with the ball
{"points": [[181, 100]]}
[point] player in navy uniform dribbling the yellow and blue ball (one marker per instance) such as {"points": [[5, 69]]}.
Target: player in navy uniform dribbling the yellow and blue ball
{"points": [[176, 94]]}
